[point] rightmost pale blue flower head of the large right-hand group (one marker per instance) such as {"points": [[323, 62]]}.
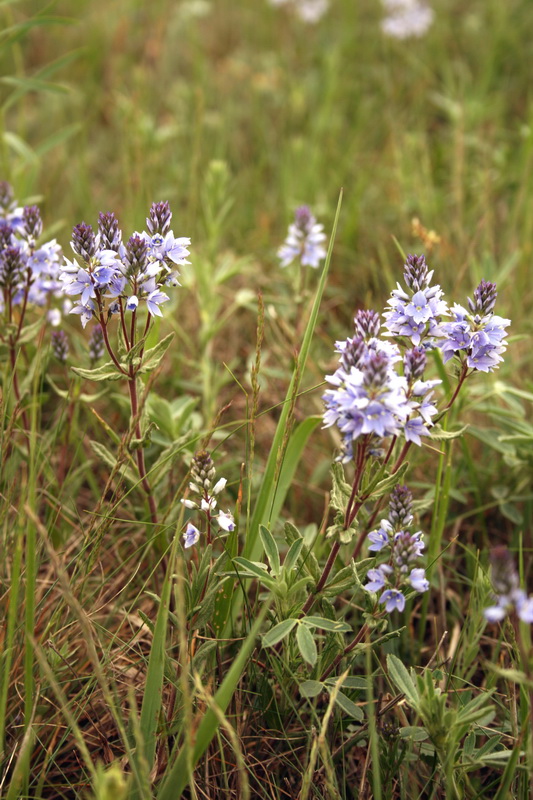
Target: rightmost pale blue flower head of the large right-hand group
{"points": [[476, 336]]}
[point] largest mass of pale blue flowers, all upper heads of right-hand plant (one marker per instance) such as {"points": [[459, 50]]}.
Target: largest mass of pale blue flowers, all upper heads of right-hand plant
{"points": [[377, 391]]}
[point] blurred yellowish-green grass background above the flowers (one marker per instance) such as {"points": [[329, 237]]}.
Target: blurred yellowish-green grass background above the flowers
{"points": [[437, 128]]}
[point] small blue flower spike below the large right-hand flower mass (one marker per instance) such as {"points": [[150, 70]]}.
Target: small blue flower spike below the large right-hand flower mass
{"points": [[404, 548]]}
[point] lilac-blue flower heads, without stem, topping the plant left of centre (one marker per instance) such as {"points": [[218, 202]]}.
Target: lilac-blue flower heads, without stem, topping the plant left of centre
{"points": [[108, 275]]}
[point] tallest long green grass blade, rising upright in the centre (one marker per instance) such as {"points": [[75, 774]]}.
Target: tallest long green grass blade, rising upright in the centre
{"points": [[269, 487]]}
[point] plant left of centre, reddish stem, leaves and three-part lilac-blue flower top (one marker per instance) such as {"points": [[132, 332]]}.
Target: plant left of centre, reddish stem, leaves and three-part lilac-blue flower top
{"points": [[122, 287]]}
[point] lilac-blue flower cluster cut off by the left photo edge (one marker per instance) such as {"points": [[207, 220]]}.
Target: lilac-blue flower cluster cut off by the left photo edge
{"points": [[29, 270]]}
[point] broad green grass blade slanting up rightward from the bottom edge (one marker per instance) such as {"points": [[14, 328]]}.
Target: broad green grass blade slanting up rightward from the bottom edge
{"points": [[178, 777]]}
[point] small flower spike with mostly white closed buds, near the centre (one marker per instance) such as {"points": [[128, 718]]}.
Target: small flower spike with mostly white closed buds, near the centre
{"points": [[202, 477]]}
